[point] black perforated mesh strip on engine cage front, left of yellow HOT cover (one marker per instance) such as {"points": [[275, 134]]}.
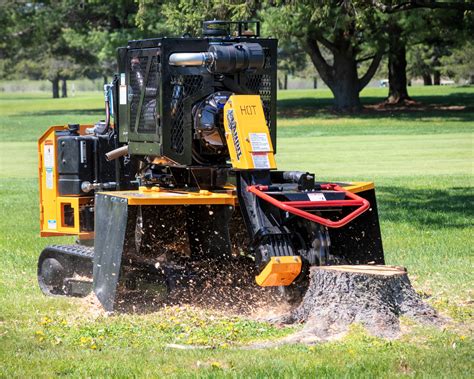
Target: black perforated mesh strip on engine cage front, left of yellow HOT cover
{"points": [[188, 86]]}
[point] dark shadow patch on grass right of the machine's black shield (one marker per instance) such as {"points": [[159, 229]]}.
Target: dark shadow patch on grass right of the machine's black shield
{"points": [[433, 208]]}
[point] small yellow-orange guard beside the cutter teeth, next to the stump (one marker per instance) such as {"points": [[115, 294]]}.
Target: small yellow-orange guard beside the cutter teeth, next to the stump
{"points": [[280, 271]]}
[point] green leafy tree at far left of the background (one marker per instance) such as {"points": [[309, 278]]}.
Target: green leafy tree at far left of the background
{"points": [[62, 40]]}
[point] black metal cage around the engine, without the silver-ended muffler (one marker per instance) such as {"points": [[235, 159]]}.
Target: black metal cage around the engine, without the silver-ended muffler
{"points": [[156, 98]]}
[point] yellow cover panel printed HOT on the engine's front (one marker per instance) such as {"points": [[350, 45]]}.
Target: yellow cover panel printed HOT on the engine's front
{"points": [[247, 134]]}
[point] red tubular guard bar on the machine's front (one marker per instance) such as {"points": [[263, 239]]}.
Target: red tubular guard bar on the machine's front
{"points": [[355, 201]]}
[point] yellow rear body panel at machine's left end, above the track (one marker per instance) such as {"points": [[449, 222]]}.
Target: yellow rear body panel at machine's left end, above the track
{"points": [[58, 215]]}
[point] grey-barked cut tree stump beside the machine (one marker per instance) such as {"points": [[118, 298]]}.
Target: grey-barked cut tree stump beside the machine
{"points": [[372, 295]]}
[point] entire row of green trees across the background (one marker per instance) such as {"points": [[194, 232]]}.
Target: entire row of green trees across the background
{"points": [[345, 40]]}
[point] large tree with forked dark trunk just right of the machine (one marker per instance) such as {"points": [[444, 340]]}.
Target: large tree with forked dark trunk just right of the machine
{"points": [[348, 31]]}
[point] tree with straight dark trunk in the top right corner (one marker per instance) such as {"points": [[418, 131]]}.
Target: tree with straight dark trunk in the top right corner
{"points": [[432, 27]]}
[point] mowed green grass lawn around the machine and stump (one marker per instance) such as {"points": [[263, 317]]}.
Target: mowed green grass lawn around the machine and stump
{"points": [[422, 163]]}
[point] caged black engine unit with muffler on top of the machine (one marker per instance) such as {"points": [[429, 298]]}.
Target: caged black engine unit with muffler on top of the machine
{"points": [[171, 91]]}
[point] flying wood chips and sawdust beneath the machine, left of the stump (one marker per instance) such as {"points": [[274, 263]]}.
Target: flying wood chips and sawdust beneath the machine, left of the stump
{"points": [[222, 285]]}
